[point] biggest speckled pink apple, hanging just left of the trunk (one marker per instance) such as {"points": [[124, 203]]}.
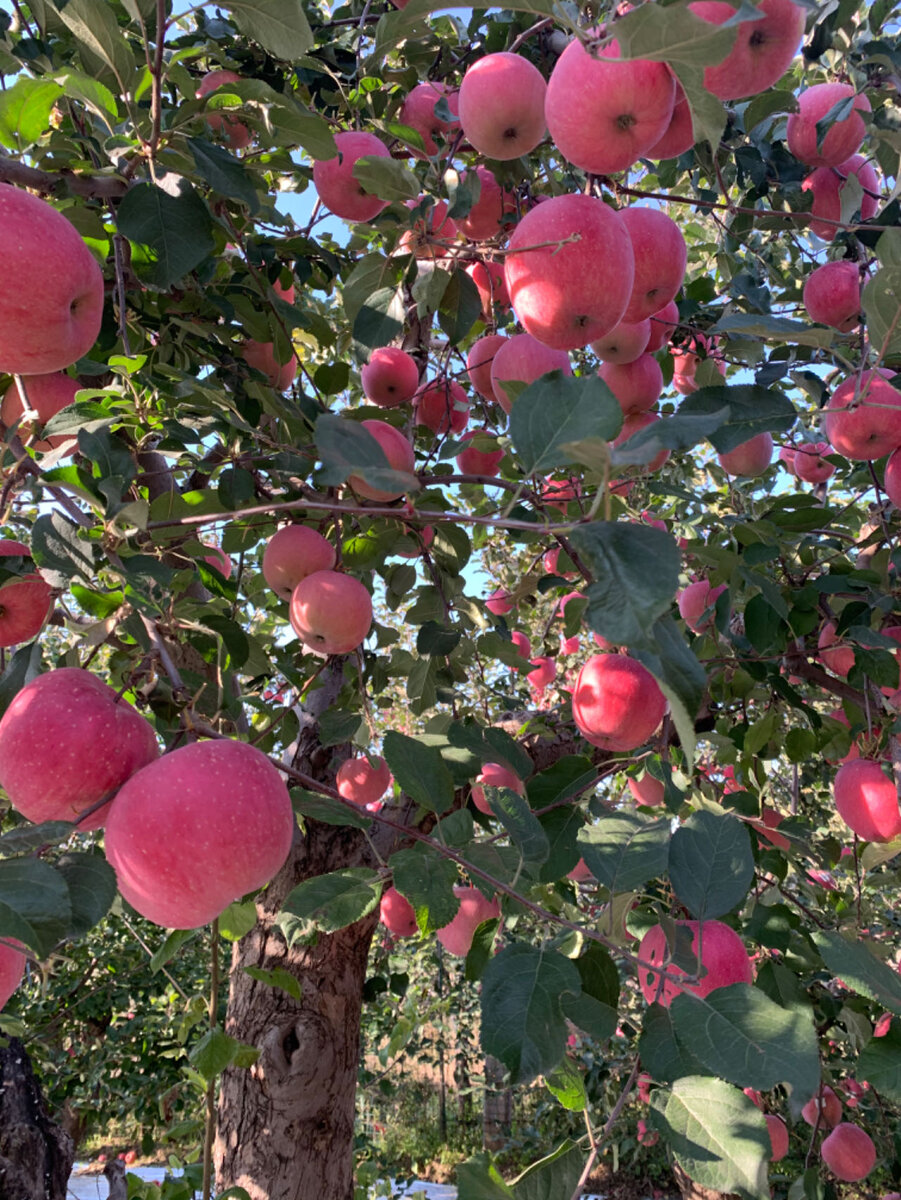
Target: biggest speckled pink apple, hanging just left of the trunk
{"points": [[197, 830]]}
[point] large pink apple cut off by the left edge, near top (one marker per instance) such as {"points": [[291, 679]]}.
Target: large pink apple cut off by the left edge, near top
{"points": [[53, 323]]}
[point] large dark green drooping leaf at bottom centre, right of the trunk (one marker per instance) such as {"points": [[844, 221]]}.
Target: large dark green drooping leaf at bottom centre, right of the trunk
{"points": [[524, 1024]]}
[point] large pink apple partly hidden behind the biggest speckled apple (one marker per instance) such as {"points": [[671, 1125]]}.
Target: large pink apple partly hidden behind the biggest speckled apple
{"points": [[91, 736]]}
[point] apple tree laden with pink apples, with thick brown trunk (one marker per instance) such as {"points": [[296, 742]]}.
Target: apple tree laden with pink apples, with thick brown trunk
{"points": [[450, 476]]}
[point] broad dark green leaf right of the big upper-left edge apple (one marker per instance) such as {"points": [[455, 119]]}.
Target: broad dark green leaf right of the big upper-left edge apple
{"points": [[171, 231]]}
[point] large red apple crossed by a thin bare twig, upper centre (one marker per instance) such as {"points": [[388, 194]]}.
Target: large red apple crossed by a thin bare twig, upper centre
{"points": [[570, 269]]}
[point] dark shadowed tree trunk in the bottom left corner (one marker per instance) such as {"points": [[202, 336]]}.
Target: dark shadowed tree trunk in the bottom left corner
{"points": [[35, 1155]]}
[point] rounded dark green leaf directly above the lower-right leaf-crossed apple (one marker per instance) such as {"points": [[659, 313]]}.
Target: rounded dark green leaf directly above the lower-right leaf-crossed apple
{"points": [[711, 863]]}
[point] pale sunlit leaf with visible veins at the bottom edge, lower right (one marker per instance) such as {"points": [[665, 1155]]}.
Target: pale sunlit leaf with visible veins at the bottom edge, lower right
{"points": [[717, 1135]]}
